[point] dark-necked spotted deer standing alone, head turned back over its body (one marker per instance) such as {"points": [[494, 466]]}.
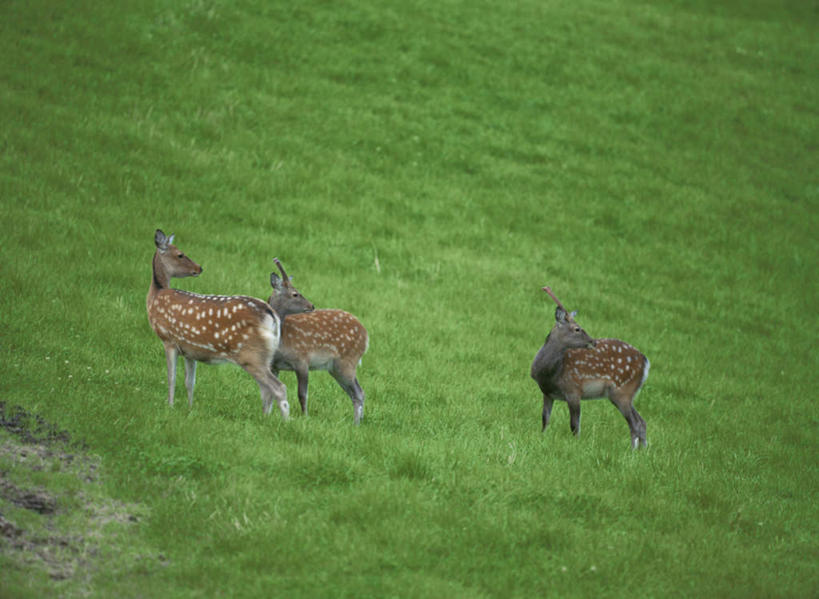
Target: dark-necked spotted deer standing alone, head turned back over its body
{"points": [[572, 366]]}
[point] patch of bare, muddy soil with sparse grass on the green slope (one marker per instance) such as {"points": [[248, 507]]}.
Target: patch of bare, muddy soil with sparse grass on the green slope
{"points": [[58, 528]]}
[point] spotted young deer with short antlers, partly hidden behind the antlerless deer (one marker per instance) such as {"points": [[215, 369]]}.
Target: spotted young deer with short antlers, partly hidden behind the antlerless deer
{"points": [[332, 340]]}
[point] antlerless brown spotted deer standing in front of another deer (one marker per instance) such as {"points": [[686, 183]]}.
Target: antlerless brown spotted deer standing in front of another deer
{"points": [[211, 328]]}
